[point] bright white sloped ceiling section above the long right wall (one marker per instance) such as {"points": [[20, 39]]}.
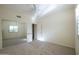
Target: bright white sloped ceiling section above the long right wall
{"points": [[44, 9]]}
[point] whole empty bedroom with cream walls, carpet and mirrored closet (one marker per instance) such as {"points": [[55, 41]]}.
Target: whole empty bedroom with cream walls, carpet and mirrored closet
{"points": [[39, 29]]}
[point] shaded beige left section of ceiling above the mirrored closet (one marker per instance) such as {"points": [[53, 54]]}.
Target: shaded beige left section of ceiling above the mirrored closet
{"points": [[21, 8]]}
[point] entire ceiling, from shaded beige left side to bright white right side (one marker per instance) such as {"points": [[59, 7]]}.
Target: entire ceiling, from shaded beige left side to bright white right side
{"points": [[29, 8]]}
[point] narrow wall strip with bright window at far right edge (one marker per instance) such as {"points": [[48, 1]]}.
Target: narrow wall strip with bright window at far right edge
{"points": [[76, 33]]}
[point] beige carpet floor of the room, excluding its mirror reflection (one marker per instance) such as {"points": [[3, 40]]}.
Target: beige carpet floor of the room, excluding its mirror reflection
{"points": [[37, 48]]}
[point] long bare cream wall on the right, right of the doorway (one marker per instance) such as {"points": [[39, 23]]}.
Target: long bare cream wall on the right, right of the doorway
{"points": [[58, 28]]}
